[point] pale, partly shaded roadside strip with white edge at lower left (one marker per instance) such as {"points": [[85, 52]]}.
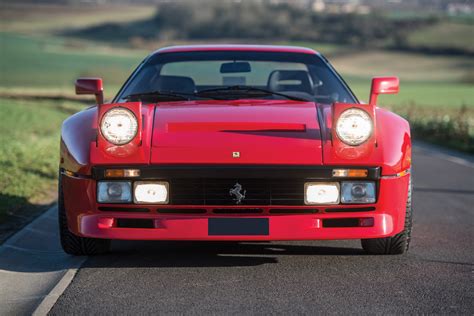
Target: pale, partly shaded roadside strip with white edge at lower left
{"points": [[31, 280]]}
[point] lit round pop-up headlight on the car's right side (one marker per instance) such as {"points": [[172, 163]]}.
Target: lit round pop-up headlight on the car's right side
{"points": [[354, 126]]}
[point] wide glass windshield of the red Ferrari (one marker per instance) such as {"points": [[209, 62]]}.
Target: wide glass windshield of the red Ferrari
{"points": [[211, 74]]}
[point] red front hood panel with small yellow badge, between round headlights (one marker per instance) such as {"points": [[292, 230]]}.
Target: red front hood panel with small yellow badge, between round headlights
{"points": [[236, 132]]}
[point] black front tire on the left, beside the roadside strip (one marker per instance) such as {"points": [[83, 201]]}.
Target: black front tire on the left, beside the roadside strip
{"points": [[72, 244]]}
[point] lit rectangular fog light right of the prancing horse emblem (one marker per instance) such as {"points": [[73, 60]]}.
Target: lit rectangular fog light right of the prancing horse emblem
{"points": [[321, 193]]}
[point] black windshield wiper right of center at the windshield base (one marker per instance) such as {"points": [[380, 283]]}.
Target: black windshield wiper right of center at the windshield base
{"points": [[245, 90]]}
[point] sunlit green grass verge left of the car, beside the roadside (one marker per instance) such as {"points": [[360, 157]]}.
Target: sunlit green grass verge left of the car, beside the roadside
{"points": [[29, 152]]}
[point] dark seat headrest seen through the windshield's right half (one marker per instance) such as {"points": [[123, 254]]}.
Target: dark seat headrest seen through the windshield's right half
{"points": [[290, 80]]}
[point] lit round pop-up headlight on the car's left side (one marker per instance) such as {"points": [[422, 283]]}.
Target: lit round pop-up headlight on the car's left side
{"points": [[119, 126]]}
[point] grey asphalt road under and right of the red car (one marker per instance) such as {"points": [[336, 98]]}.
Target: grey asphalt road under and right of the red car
{"points": [[436, 276]]}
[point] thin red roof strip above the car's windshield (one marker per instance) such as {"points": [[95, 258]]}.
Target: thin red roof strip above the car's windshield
{"points": [[255, 48]]}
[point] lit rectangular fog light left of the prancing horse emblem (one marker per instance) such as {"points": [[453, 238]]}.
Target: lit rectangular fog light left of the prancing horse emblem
{"points": [[151, 192]]}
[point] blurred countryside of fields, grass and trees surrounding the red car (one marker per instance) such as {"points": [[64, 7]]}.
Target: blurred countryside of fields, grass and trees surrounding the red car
{"points": [[46, 44]]}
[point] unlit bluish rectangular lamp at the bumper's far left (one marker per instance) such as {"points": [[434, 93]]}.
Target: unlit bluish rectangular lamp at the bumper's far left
{"points": [[114, 192]]}
